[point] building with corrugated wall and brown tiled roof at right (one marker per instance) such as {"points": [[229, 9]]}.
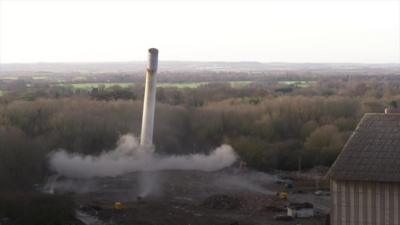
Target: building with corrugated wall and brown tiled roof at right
{"points": [[365, 178]]}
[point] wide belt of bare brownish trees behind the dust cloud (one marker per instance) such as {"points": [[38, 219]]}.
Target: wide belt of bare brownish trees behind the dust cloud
{"points": [[268, 128]]}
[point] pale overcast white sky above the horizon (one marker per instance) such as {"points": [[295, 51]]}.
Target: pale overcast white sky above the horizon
{"points": [[265, 31]]}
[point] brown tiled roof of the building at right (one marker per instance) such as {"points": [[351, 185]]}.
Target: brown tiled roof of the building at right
{"points": [[372, 153]]}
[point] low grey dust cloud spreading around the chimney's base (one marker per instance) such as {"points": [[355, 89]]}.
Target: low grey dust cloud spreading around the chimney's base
{"points": [[130, 157]]}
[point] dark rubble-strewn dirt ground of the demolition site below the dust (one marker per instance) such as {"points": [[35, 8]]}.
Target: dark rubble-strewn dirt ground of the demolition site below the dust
{"points": [[226, 197]]}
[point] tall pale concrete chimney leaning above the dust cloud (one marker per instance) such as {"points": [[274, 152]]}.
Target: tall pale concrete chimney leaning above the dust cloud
{"points": [[149, 103]]}
